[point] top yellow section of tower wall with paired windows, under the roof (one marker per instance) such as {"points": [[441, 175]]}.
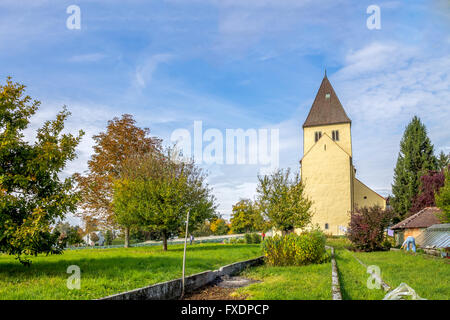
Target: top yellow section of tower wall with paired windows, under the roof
{"points": [[345, 138]]}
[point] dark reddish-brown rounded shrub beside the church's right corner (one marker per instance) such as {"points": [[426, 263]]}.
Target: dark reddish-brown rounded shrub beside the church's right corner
{"points": [[367, 225]]}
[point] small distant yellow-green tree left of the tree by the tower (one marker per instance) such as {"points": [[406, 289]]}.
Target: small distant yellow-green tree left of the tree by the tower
{"points": [[246, 217]]}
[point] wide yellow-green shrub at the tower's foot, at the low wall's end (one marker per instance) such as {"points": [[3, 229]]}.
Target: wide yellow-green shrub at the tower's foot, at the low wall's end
{"points": [[295, 250]]}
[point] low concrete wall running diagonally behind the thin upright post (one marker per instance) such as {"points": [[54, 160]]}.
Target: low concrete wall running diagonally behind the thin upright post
{"points": [[171, 290]]}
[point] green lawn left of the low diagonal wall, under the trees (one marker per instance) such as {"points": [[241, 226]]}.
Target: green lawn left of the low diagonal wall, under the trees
{"points": [[109, 271]]}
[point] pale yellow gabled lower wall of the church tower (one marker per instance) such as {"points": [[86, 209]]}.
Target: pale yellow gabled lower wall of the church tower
{"points": [[326, 173]]}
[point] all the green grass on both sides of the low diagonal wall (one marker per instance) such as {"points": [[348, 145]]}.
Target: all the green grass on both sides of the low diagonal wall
{"points": [[109, 271]]}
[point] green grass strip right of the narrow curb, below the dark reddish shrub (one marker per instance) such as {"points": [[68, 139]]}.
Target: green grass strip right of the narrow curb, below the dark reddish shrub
{"points": [[427, 275]]}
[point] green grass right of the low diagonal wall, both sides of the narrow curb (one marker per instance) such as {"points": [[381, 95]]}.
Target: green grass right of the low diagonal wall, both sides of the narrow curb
{"points": [[427, 275]]}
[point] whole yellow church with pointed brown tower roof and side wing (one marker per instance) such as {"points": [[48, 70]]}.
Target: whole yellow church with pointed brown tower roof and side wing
{"points": [[327, 168]]}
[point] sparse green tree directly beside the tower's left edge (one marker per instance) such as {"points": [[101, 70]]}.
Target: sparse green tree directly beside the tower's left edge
{"points": [[282, 201]]}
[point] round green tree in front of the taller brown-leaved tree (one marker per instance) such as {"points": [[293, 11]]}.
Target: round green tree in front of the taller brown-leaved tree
{"points": [[156, 190]]}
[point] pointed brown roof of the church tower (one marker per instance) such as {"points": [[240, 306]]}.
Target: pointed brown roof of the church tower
{"points": [[326, 109]]}
